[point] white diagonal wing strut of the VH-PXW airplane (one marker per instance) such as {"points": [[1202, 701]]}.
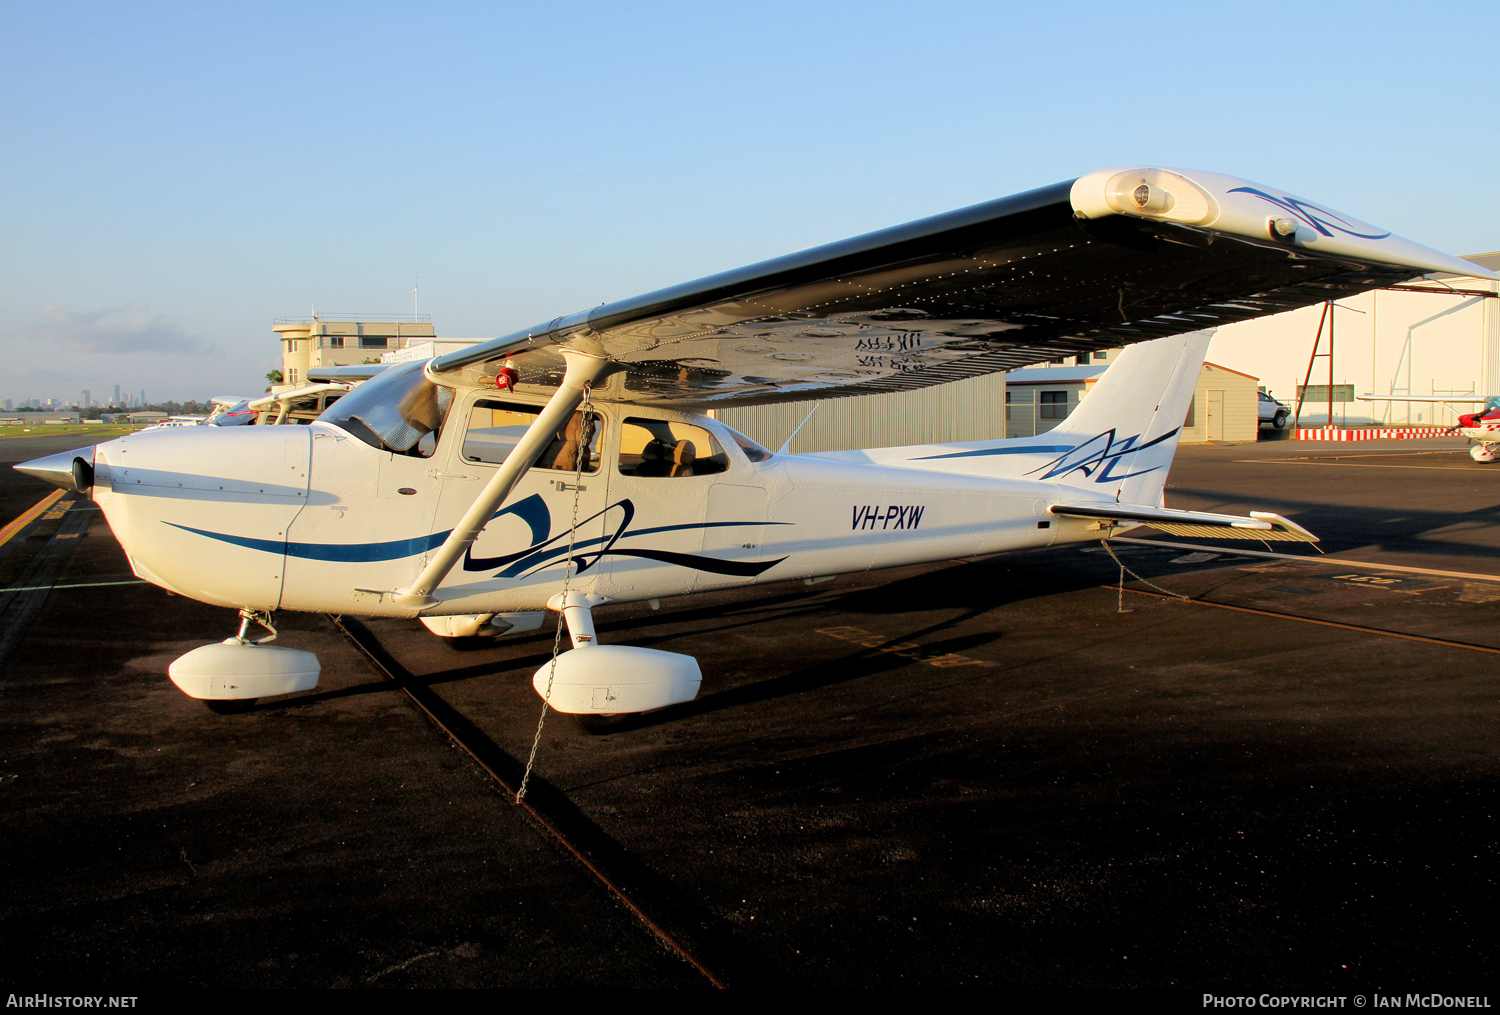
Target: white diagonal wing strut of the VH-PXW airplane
{"points": [[583, 370]]}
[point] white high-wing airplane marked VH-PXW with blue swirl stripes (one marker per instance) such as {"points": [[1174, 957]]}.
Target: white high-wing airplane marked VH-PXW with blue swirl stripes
{"points": [[571, 466]]}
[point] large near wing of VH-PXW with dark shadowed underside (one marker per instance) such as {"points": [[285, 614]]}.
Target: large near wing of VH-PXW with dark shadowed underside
{"points": [[1111, 259]]}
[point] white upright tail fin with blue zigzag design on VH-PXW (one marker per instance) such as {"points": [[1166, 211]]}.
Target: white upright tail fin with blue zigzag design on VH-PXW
{"points": [[1127, 430]]}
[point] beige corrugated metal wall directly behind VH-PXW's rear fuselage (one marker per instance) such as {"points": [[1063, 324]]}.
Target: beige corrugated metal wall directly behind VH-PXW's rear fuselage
{"points": [[970, 410]]}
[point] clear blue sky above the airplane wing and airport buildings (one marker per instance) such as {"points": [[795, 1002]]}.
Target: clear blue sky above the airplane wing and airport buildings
{"points": [[176, 176]]}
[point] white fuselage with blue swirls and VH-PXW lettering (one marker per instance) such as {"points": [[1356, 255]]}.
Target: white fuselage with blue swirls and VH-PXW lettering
{"points": [[310, 518]]}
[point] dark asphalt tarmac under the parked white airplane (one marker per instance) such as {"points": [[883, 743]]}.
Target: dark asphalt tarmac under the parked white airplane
{"points": [[959, 774]]}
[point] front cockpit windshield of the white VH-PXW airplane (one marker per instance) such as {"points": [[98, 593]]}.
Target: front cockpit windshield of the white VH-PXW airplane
{"points": [[395, 412]]}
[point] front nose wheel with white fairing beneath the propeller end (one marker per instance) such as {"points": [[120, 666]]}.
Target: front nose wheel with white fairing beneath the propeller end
{"points": [[232, 675]]}
